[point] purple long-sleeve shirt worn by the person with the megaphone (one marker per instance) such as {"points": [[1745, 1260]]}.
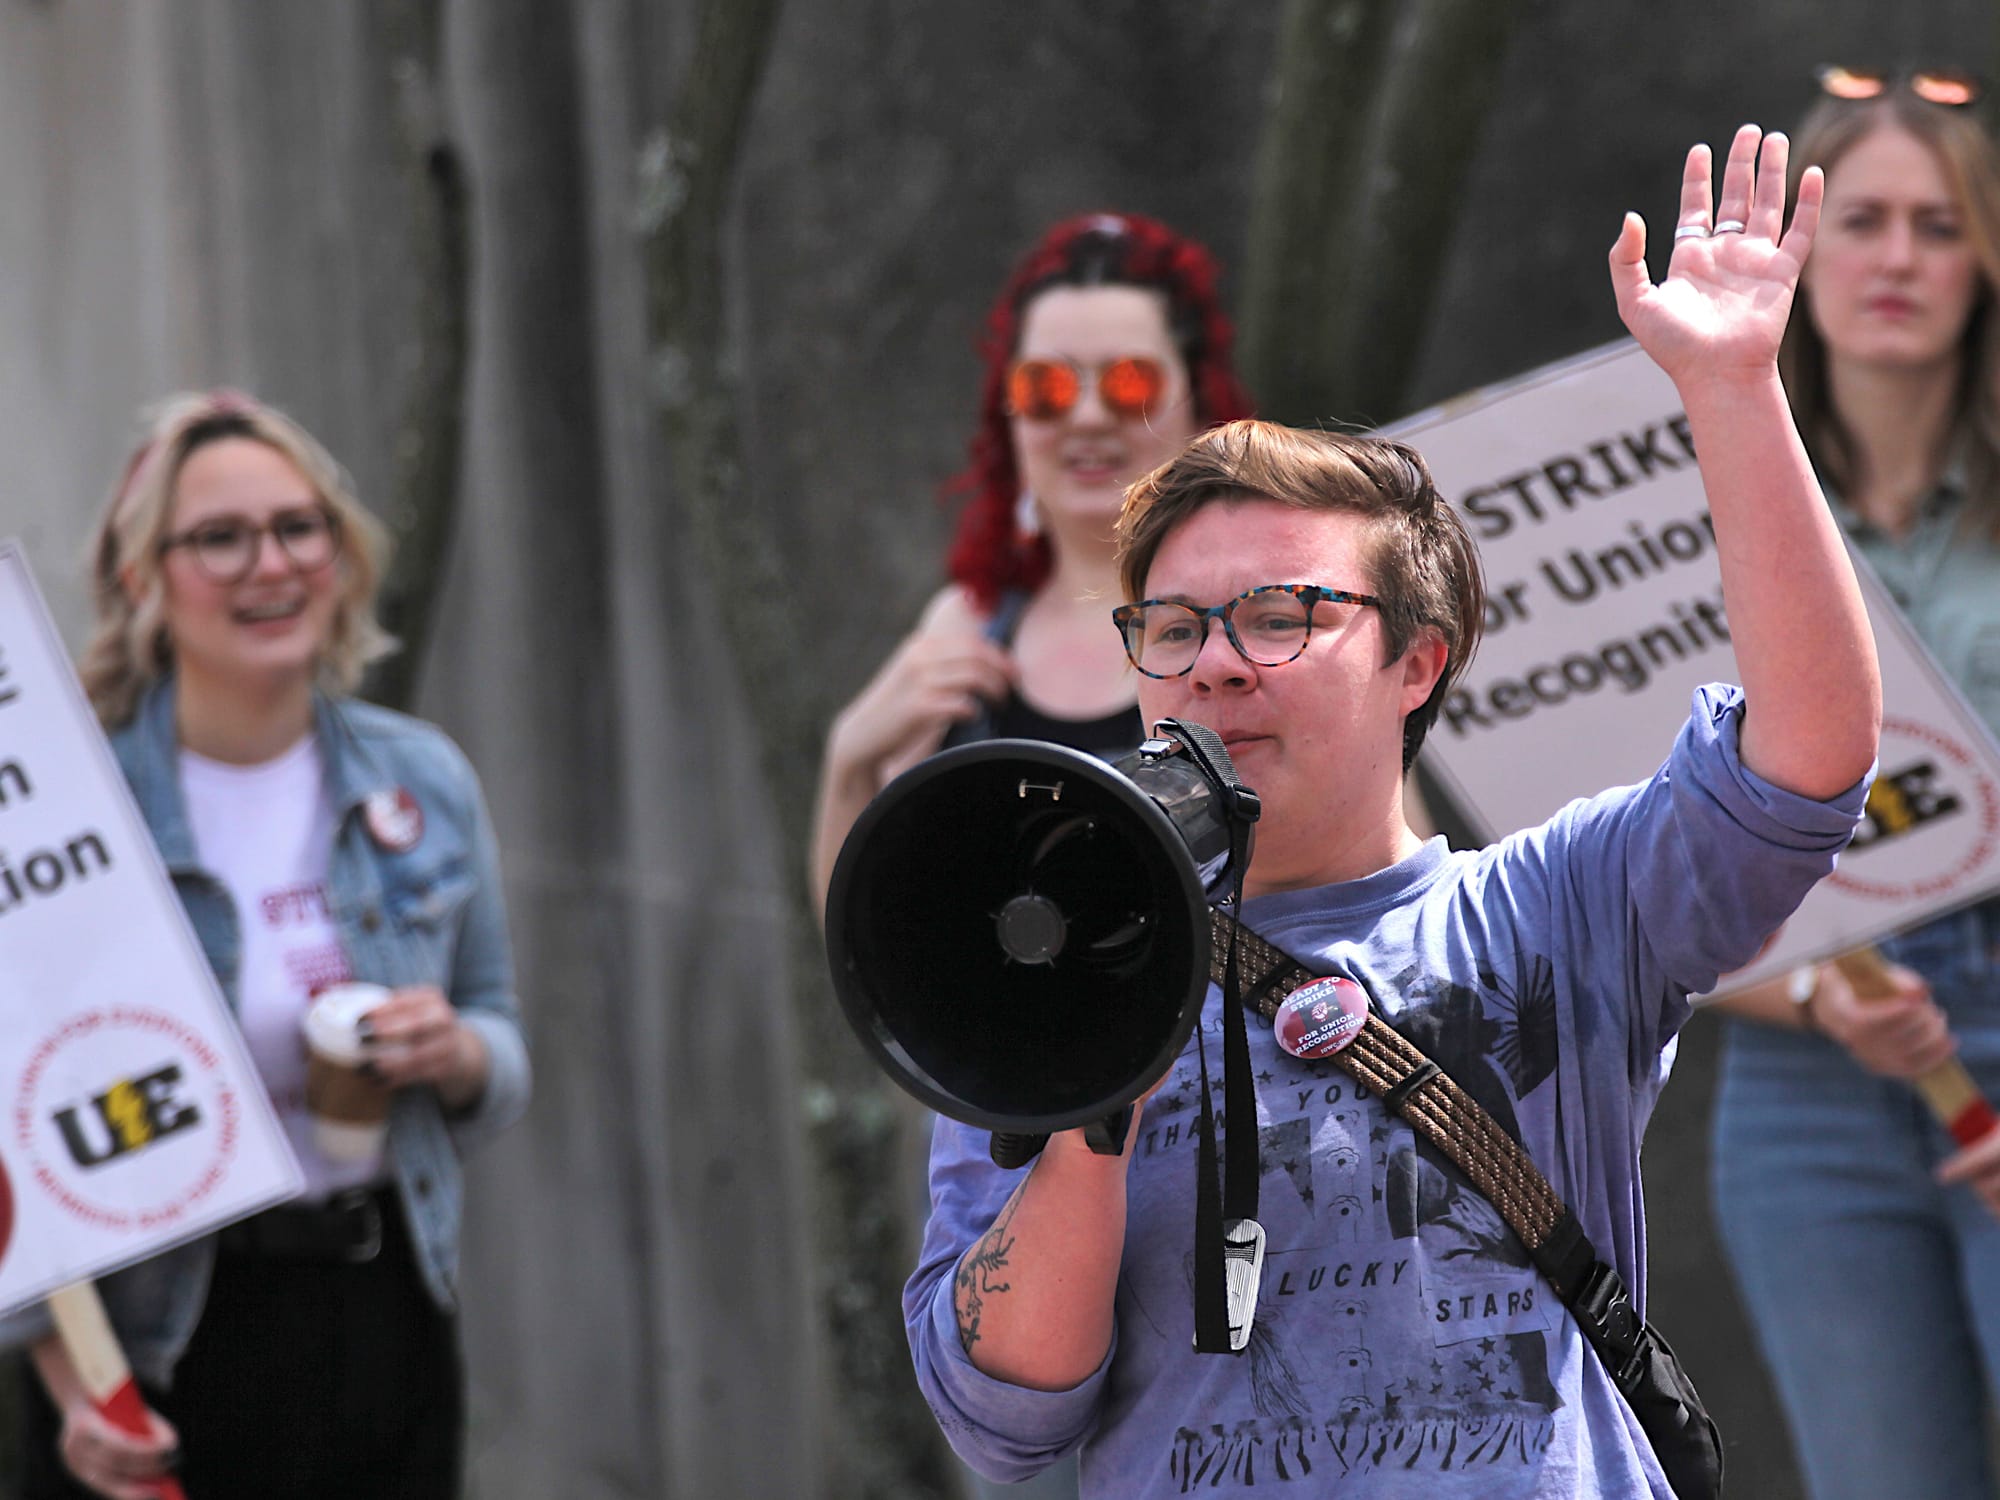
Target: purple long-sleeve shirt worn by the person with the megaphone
{"points": [[1403, 1343]]}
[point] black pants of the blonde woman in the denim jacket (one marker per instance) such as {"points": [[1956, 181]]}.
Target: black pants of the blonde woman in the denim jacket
{"points": [[305, 1379]]}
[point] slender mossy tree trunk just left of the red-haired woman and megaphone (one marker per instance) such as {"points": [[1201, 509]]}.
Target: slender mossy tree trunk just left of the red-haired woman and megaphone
{"points": [[879, 1437]]}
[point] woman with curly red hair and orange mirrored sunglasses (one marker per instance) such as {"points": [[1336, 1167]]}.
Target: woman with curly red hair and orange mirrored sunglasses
{"points": [[1105, 353]]}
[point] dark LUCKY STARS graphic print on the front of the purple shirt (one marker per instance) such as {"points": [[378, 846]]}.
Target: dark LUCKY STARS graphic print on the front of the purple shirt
{"points": [[1401, 1325]]}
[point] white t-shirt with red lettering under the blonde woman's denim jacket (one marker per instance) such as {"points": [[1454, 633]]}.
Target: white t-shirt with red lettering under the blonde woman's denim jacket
{"points": [[267, 833]]}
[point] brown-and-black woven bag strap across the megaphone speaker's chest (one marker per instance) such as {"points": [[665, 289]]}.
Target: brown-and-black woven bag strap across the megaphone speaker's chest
{"points": [[1641, 1363]]}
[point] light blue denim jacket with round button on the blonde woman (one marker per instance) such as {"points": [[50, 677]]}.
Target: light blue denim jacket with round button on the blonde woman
{"points": [[429, 915]]}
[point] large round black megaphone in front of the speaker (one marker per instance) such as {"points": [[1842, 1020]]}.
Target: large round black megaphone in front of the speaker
{"points": [[1019, 933]]}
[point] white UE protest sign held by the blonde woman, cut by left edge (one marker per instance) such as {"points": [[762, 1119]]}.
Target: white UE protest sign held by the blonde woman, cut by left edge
{"points": [[133, 1113]]}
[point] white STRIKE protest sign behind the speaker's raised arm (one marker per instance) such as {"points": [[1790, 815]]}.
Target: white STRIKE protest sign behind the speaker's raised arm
{"points": [[1605, 613]]}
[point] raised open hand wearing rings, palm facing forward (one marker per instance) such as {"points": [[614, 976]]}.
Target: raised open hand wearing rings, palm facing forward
{"points": [[1729, 287]]}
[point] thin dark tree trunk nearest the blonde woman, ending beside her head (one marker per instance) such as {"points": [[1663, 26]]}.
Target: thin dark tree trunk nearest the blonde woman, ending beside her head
{"points": [[437, 351]]}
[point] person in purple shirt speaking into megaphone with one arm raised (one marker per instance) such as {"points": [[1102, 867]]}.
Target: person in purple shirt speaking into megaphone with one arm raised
{"points": [[1311, 599]]}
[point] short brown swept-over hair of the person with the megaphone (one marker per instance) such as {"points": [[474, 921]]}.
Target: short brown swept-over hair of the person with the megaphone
{"points": [[1423, 565]]}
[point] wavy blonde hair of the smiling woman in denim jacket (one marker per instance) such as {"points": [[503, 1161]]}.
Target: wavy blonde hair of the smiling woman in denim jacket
{"points": [[129, 647]]}
